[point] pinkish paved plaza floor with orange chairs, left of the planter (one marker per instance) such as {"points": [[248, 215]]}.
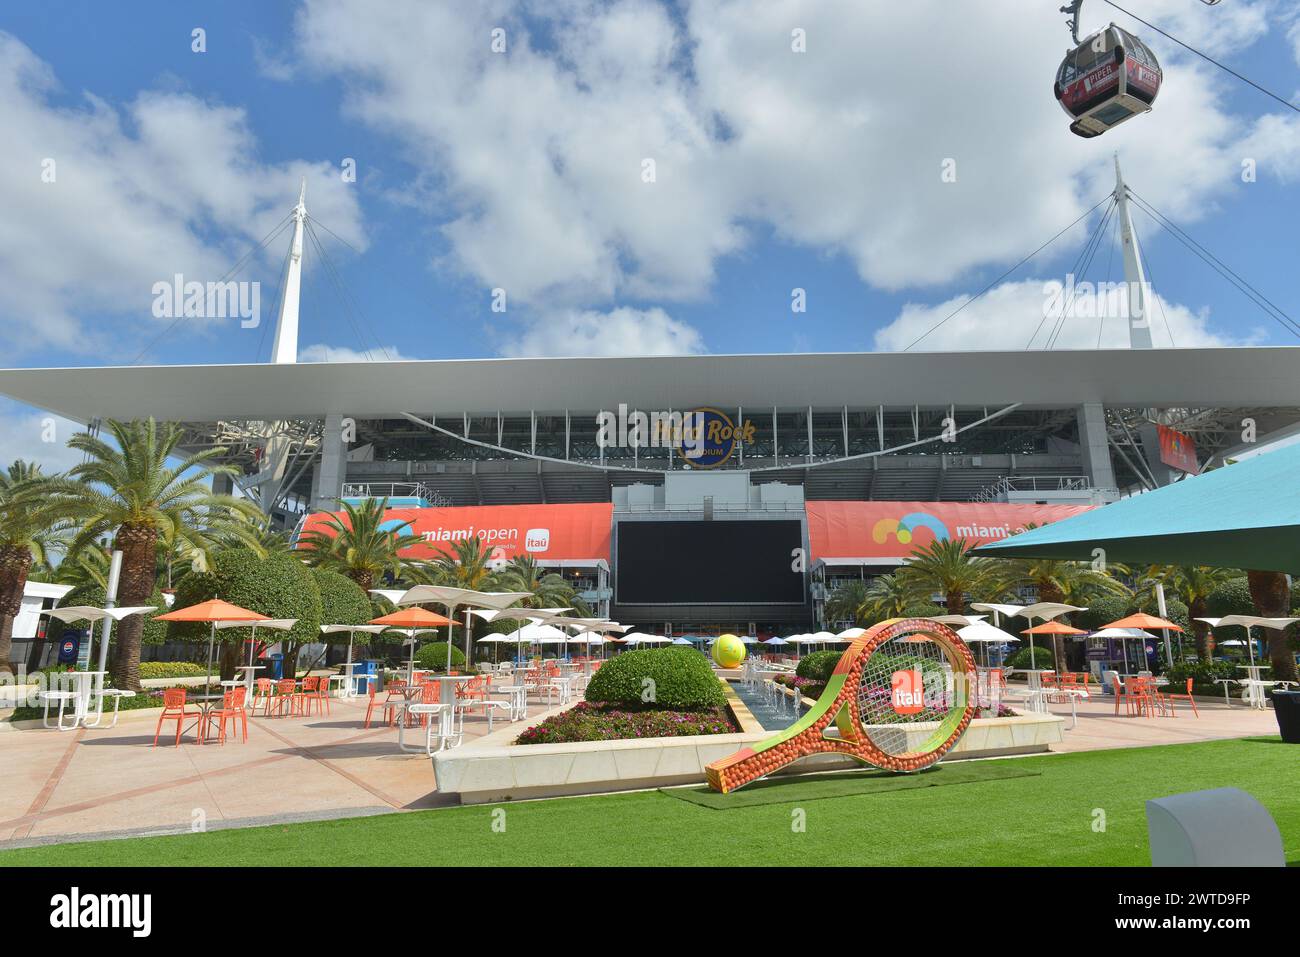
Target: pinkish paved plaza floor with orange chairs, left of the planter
{"points": [[99, 783]]}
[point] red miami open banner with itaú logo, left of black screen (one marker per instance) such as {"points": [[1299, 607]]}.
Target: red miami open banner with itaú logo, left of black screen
{"points": [[547, 532]]}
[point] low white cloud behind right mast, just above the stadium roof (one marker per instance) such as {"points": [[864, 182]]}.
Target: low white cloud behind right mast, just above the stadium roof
{"points": [[1016, 315]]}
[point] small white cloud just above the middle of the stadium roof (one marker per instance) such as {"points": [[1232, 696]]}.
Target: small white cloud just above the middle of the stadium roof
{"points": [[622, 332]]}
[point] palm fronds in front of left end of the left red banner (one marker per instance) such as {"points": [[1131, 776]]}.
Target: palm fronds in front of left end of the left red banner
{"points": [[358, 544]]}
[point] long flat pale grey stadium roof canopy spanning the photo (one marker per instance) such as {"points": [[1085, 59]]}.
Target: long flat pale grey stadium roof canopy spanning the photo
{"points": [[1136, 379]]}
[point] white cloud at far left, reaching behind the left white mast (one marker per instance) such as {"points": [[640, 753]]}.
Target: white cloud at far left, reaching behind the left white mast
{"points": [[168, 184]]}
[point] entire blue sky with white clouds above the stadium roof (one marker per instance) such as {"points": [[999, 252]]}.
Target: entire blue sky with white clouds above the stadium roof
{"points": [[777, 171]]}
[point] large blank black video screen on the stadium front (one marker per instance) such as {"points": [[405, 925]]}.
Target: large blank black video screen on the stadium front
{"points": [[709, 564]]}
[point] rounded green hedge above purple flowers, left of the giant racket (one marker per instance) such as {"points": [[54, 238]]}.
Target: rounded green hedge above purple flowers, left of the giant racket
{"points": [[682, 679]]}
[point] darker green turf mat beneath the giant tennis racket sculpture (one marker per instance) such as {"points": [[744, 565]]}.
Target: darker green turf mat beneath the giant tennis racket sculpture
{"points": [[817, 787]]}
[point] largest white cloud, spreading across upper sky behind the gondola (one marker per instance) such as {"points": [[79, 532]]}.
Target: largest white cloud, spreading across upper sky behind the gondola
{"points": [[539, 151]]}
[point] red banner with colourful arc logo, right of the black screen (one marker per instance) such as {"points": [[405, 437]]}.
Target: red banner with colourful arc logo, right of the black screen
{"points": [[892, 530]]}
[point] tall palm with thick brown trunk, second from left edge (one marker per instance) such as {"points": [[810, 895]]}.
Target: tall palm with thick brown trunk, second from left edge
{"points": [[137, 496]]}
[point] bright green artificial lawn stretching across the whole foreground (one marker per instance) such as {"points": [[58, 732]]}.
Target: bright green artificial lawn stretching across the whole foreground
{"points": [[1078, 809]]}
